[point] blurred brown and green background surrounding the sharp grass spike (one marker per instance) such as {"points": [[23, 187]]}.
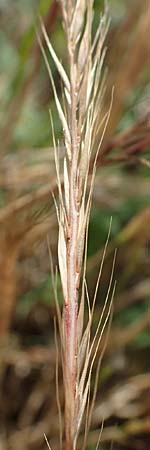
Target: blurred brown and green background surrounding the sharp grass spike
{"points": [[27, 216]]}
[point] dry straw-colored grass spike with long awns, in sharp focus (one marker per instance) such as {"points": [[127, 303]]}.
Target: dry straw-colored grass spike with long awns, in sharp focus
{"points": [[83, 89]]}
